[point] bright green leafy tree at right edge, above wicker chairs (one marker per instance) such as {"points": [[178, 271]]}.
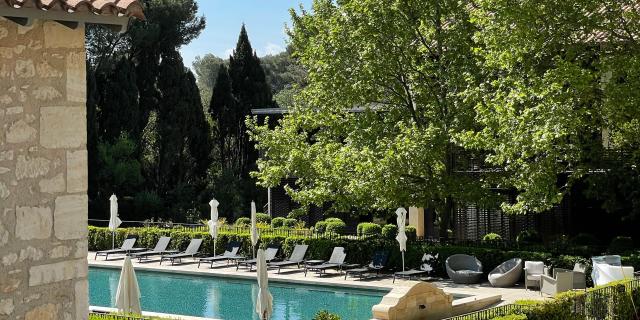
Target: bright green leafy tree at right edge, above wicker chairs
{"points": [[560, 80]]}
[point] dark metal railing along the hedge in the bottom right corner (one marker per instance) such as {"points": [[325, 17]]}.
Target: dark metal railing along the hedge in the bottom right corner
{"points": [[596, 304]]}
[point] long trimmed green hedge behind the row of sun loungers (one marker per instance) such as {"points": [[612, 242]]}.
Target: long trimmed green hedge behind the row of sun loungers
{"points": [[358, 250]]}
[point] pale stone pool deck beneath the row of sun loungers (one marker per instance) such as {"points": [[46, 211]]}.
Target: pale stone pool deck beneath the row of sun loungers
{"points": [[294, 275]]}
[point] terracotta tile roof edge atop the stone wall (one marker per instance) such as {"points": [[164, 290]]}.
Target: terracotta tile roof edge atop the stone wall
{"points": [[129, 8]]}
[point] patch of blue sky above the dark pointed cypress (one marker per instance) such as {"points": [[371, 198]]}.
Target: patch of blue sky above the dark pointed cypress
{"points": [[265, 21]]}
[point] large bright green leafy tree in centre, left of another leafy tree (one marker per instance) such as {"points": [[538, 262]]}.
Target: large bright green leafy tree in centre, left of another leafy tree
{"points": [[406, 65]]}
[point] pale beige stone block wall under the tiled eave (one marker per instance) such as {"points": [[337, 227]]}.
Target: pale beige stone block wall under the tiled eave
{"points": [[43, 172]]}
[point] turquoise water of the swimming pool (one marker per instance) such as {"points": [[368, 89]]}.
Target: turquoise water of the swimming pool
{"points": [[231, 299]]}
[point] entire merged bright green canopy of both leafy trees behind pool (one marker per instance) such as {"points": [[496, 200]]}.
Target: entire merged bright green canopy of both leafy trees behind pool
{"points": [[461, 102]]}
